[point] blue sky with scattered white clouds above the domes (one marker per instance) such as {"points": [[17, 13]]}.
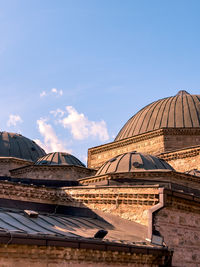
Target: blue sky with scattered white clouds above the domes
{"points": [[94, 62]]}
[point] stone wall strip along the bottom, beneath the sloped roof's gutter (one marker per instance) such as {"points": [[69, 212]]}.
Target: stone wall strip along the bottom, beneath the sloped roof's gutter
{"points": [[41, 256]]}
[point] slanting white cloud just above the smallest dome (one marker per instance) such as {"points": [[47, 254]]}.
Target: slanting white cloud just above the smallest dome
{"points": [[51, 141]]}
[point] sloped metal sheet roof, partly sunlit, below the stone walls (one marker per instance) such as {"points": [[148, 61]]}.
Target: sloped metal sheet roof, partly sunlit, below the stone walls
{"points": [[15, 221]]}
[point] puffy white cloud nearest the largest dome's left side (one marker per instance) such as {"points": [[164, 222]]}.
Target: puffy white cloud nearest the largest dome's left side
{"points": [[81, 128]]}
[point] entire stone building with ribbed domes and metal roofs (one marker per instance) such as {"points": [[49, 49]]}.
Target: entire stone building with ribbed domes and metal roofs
{"points": [[137, 203]]}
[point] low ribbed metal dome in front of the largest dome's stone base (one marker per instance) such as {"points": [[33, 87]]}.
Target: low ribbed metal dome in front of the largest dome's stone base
{"points": [[132, 161]]}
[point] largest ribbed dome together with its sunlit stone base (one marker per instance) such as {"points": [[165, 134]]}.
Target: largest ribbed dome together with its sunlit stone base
{"points": [[164, 126]]}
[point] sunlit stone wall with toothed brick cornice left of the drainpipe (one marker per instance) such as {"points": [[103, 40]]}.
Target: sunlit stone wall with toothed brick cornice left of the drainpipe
{"points": [[129, 203]]}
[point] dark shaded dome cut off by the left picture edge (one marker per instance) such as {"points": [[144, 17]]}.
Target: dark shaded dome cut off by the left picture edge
{"points": [[18, 146]]}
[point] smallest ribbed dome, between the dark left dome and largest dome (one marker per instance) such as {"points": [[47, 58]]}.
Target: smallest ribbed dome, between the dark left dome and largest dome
{"points": [[59, 158]]}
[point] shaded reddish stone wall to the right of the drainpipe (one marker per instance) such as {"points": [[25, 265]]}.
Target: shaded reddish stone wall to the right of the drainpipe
{"points": [[180, 228]]}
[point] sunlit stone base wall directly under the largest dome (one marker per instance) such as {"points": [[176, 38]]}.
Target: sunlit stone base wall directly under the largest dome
{"points": [[154, 143]]}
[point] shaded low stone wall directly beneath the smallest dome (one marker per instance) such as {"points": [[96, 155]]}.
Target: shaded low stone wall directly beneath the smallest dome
{"points": [[64, 173]]}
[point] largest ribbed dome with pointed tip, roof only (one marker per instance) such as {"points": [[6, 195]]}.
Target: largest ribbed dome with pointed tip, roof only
{"points": [[179, 111]]}
